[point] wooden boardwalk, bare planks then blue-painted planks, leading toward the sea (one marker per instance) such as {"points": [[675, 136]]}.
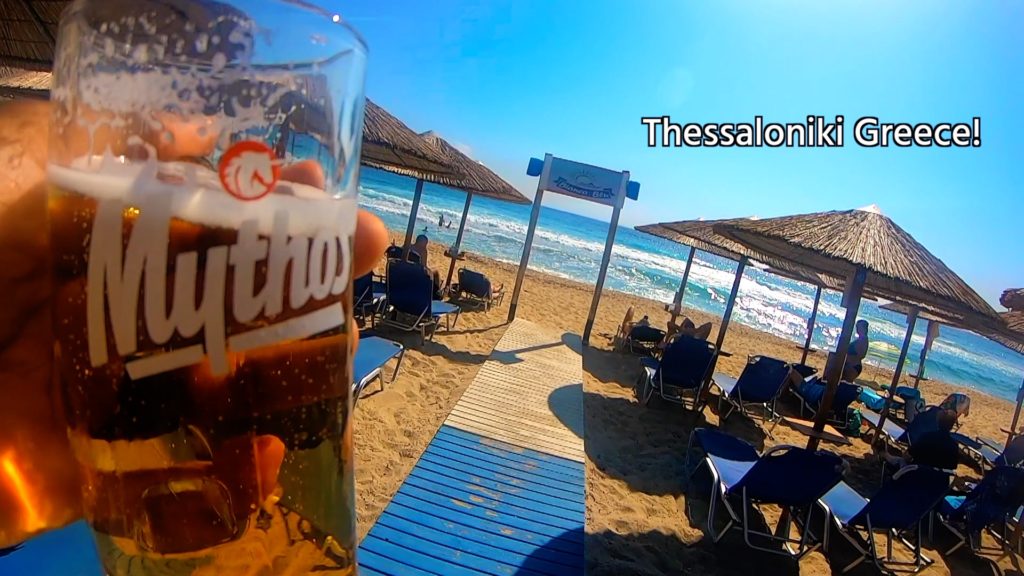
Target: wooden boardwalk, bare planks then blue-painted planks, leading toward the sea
{"points": [[500, 489]]}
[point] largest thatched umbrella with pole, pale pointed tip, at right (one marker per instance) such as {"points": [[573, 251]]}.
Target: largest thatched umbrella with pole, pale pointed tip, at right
{"points": [[871, 251]]}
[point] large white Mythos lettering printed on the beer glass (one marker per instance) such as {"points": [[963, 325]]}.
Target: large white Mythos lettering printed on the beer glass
{"points": [[119, 274]]}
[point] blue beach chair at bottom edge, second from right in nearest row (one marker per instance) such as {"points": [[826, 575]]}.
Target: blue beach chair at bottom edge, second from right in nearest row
{"points": [[901, 506]]}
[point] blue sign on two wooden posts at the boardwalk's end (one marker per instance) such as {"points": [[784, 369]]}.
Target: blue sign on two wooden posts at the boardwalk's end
{"points": [[587, 183]]}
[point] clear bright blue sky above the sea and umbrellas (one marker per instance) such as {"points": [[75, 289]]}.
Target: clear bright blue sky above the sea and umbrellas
{"points": [[510, 79]]}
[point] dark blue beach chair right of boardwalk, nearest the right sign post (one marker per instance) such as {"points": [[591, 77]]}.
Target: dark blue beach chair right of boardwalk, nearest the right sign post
{"points": [[682, 371]]}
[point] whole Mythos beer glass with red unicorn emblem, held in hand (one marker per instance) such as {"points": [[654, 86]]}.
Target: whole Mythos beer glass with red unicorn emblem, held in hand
{"points": [[203, 179]]}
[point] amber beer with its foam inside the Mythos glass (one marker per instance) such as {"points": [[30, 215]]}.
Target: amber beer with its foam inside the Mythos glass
{"points": [[203, 343]]}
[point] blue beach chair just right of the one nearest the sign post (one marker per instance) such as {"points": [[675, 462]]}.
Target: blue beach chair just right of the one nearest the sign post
{"points": [[761, 384]]}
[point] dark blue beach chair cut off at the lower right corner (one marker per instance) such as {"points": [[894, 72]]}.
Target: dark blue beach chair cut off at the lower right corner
{"points": [[990, 505]]}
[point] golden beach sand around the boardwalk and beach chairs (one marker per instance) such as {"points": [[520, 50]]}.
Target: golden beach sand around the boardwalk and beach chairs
{"points": [[642, 517]]}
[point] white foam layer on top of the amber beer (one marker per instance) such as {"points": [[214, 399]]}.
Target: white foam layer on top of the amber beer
{"points": [[200, 198]]}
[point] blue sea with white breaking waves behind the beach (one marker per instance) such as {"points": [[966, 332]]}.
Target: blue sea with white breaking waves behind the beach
{"points": [[571, 246]]}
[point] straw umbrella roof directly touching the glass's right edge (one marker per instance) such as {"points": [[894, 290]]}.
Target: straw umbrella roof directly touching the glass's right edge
{"points": [[390, 145]]}
